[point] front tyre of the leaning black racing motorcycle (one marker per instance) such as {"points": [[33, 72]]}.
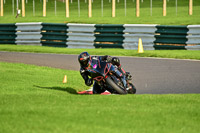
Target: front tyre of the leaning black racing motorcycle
{"points": [[114, 86]]}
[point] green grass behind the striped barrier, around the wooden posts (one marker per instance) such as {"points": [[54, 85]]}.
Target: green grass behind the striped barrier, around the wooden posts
{"points": [[181, 18]]}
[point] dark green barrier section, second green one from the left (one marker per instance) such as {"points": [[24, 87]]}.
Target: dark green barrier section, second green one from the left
{"points": [[54, 35]]}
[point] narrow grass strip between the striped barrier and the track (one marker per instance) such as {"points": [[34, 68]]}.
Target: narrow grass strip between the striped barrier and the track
{"points": [[177, 54]]}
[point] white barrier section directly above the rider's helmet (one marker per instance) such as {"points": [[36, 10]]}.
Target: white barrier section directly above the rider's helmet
{"points": [[80, 35]]}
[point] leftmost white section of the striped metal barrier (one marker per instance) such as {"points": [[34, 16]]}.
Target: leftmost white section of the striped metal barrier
{"points": [[28, 33]]}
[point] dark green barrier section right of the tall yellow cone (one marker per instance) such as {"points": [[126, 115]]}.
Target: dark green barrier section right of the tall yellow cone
{"points": [[170, 37]]}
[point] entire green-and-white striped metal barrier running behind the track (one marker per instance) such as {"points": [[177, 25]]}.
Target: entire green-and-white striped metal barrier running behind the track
{"points": [[101, 35]]}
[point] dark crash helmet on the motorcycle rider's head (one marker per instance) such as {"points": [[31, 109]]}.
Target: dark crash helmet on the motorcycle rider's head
{"points": [[84, 59]]}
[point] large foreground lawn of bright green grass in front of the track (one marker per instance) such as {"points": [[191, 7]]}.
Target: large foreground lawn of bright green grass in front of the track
{"points": [[33, 99]]}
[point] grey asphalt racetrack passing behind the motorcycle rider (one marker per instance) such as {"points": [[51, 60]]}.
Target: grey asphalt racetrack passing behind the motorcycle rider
{"points": [[150, 75]]}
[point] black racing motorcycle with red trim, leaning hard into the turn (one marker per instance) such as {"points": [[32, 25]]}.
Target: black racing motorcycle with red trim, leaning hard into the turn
{"points": [[109, 77]]}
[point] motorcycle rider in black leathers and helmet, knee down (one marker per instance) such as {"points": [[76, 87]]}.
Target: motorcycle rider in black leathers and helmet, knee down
{"points": [[84, 59]]}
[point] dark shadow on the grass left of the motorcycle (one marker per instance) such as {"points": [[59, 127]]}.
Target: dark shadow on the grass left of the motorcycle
{"points": [[66, 89]]}
